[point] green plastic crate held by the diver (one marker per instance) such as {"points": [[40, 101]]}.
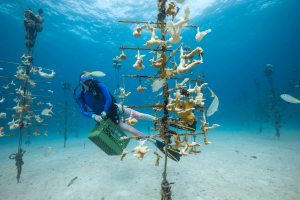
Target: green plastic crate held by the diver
{"points": [[107, 137]]}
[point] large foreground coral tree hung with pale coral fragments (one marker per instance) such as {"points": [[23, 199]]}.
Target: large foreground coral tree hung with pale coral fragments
{"points": [[183, 103]]}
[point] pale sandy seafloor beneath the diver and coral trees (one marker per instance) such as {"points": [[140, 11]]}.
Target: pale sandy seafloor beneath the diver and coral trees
{"points": [[224, 170]]}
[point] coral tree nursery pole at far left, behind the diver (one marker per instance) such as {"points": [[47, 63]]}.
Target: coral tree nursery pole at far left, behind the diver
{"points": [[23, 114]]}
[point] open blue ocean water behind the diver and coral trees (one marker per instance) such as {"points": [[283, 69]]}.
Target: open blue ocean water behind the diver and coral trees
{"points": [[86, 35]]}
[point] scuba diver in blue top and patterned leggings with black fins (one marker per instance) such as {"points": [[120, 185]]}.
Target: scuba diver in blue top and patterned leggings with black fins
{"points": [[96, 96]]}
